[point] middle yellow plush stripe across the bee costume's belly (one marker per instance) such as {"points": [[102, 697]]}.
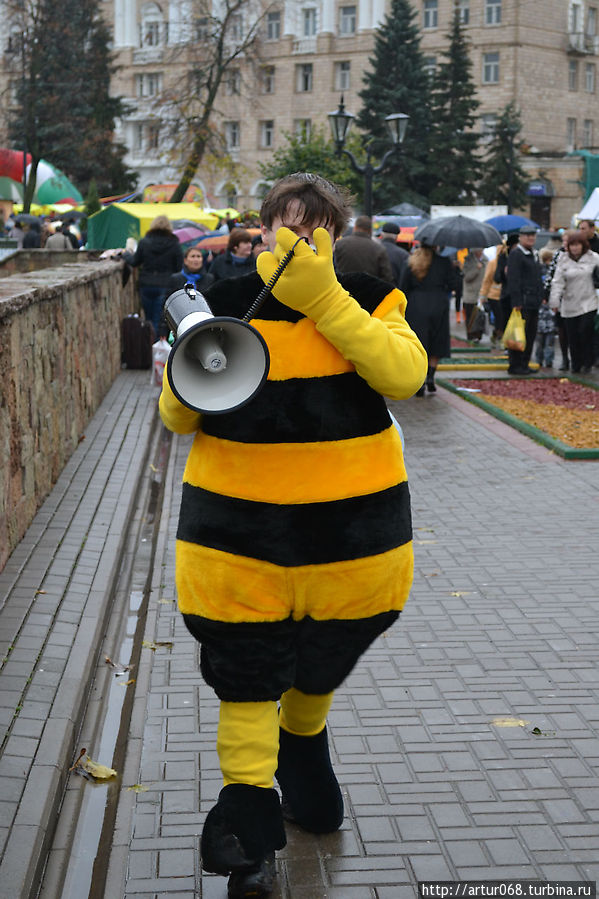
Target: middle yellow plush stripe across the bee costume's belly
{"points": [[297, 472]]}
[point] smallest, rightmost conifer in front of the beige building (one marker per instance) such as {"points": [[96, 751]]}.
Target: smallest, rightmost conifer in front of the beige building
{"points": [[504, 180]]}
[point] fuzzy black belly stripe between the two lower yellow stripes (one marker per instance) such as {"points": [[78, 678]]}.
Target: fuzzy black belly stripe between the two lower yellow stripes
{"points": [[303, 534]]}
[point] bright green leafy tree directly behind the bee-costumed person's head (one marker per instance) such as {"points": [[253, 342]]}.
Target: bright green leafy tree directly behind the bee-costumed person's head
{"points": [[315, 153]]}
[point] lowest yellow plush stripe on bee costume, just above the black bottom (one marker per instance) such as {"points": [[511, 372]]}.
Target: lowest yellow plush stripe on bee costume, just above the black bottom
{"points": [[225, 587]]}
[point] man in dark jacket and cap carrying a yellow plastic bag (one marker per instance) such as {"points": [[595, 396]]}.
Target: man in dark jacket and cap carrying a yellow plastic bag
{"points": [[525, 288]]}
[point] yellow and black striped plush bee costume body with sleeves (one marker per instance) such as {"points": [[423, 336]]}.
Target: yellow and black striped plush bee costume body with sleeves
{"points": [[294, 544]]}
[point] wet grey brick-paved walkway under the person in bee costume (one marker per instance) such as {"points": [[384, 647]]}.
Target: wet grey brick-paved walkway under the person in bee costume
{"points": [[502, 622]]}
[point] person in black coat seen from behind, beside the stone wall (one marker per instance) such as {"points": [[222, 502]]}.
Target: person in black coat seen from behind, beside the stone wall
{"points": [[158, 255]]}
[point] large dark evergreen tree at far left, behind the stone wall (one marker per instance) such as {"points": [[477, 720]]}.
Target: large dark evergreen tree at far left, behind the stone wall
{"points": [[61, 64]]}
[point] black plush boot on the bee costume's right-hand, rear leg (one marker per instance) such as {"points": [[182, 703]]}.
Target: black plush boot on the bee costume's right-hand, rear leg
{"points": [[311, 794]]}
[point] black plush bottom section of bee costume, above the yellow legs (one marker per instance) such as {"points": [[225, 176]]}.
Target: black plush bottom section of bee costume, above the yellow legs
{"points": [[259, 662]]}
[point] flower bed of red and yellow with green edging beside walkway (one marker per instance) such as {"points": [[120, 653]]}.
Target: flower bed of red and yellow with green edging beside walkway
{"points": [[561, 413]]}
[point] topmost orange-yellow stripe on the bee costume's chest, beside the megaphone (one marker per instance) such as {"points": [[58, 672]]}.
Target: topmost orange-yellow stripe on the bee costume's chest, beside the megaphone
{"points": [[297, 350]]}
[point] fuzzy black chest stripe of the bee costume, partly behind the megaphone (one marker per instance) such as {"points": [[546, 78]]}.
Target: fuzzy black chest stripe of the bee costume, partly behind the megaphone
{"points": [[305, 410]]}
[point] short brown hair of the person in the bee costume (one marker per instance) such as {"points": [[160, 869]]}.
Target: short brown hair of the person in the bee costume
{"points": [[323, 202]]}
